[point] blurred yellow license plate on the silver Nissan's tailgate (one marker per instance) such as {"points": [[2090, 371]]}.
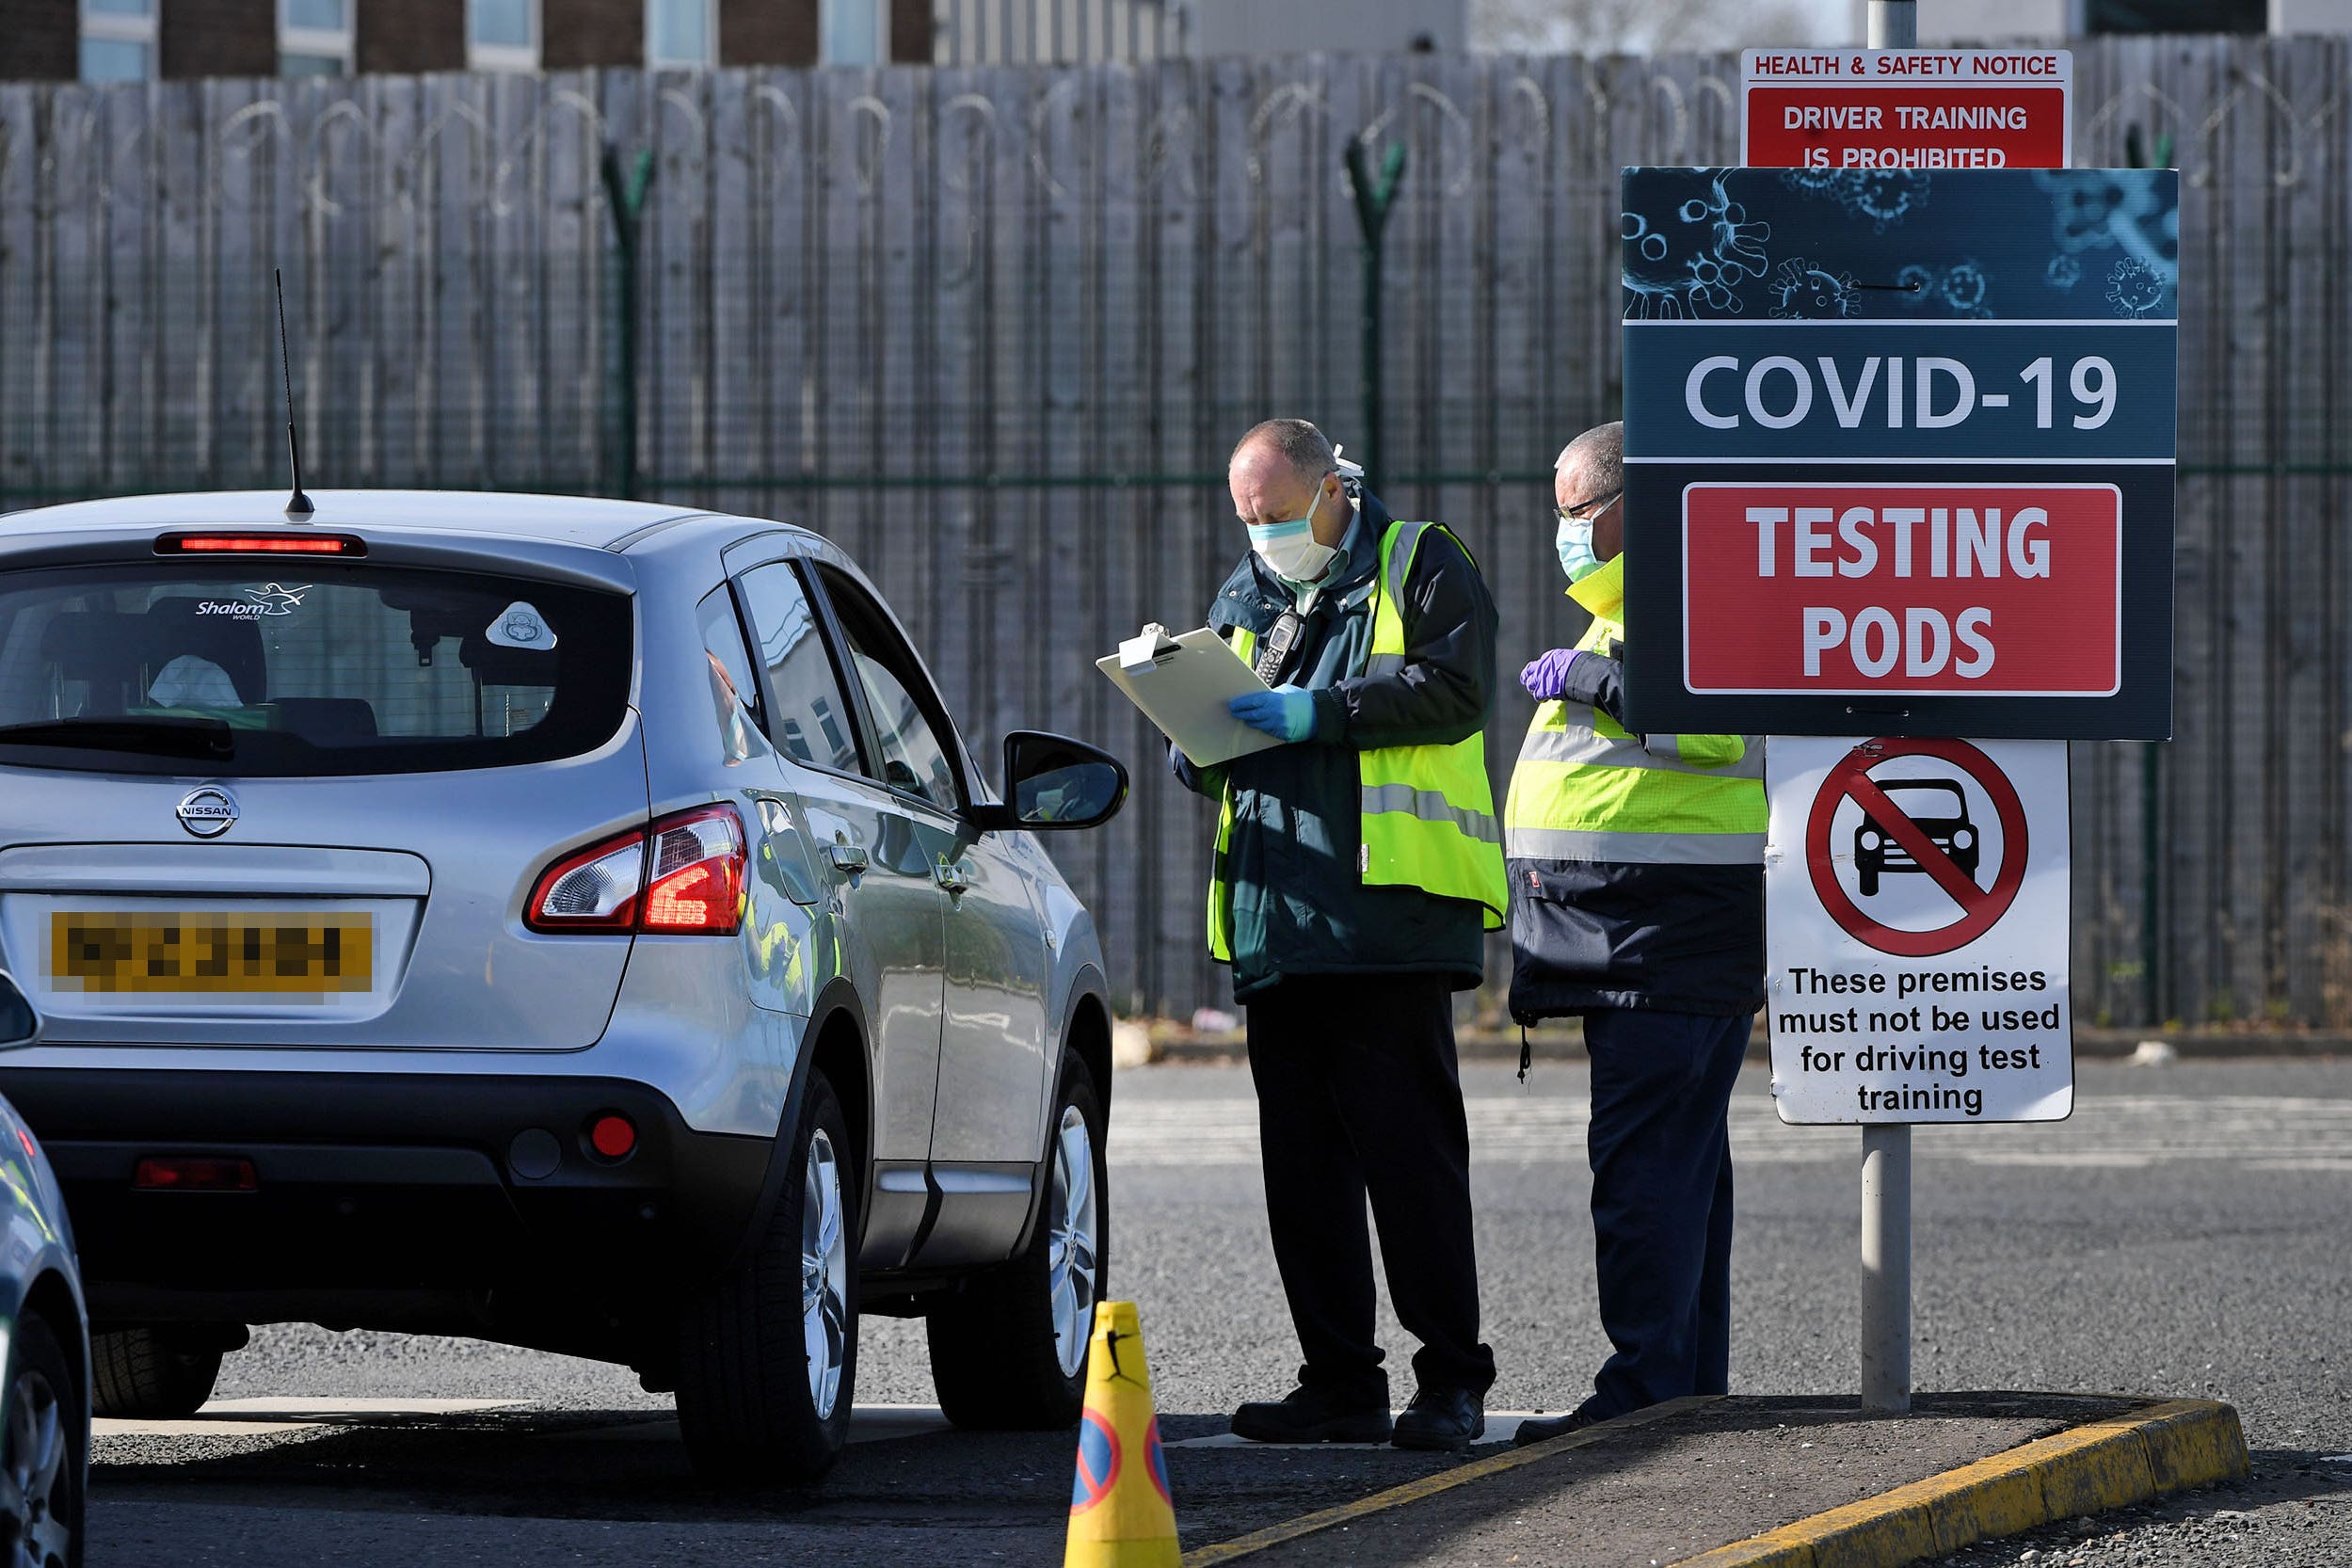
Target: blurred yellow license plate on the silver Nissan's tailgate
{"points": [[213, 953]]}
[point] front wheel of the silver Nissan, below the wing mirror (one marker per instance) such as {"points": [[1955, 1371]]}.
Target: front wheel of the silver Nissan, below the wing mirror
{"points": [[1010, 1346]]}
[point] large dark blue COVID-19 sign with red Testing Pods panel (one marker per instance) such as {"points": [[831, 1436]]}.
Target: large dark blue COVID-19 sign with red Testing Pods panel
{"points": [[1899, 450]]}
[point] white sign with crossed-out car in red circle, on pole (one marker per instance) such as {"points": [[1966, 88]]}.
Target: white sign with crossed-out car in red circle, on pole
{"points": [[1918, 918]]}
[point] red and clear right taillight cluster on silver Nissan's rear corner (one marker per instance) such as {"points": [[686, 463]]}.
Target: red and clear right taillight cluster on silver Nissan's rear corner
{"points": [[679, 878]]}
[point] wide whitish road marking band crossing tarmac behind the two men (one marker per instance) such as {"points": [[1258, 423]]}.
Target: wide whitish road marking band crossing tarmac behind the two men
{"points": [[2106, 1132]]}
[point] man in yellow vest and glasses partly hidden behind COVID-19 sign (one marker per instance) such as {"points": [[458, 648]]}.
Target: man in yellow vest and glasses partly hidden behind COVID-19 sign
{"points": [[1638, 904]]}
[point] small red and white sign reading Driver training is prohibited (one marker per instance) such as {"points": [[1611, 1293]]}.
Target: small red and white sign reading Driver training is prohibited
{"points": [[1906, 109]]}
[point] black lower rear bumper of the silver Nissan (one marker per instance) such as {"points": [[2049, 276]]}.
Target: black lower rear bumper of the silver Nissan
{"points": [[455, 1195]]}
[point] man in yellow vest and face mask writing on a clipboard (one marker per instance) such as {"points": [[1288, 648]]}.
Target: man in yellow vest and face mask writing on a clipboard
{"points": [[1358, 869]]}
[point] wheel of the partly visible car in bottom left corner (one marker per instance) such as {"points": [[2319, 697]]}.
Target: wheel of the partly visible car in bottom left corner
{"points": [[44, 1452]]}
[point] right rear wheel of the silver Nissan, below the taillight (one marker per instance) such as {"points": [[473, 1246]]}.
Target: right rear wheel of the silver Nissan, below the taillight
{"points": [[754, 1405]]}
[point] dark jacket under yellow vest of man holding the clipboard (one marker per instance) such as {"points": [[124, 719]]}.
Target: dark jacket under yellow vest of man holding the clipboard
{"points": [[1299, 906]]}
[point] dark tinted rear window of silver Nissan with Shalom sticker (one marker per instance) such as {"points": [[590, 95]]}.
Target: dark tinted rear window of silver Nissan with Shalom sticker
{"points": [[305, 669]]}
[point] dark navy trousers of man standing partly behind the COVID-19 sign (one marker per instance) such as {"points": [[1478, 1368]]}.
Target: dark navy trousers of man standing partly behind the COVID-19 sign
{"points": [[1662, 1202]]}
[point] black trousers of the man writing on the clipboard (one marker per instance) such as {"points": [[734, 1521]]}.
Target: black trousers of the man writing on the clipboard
{"points": [[1358, 1097]]}
